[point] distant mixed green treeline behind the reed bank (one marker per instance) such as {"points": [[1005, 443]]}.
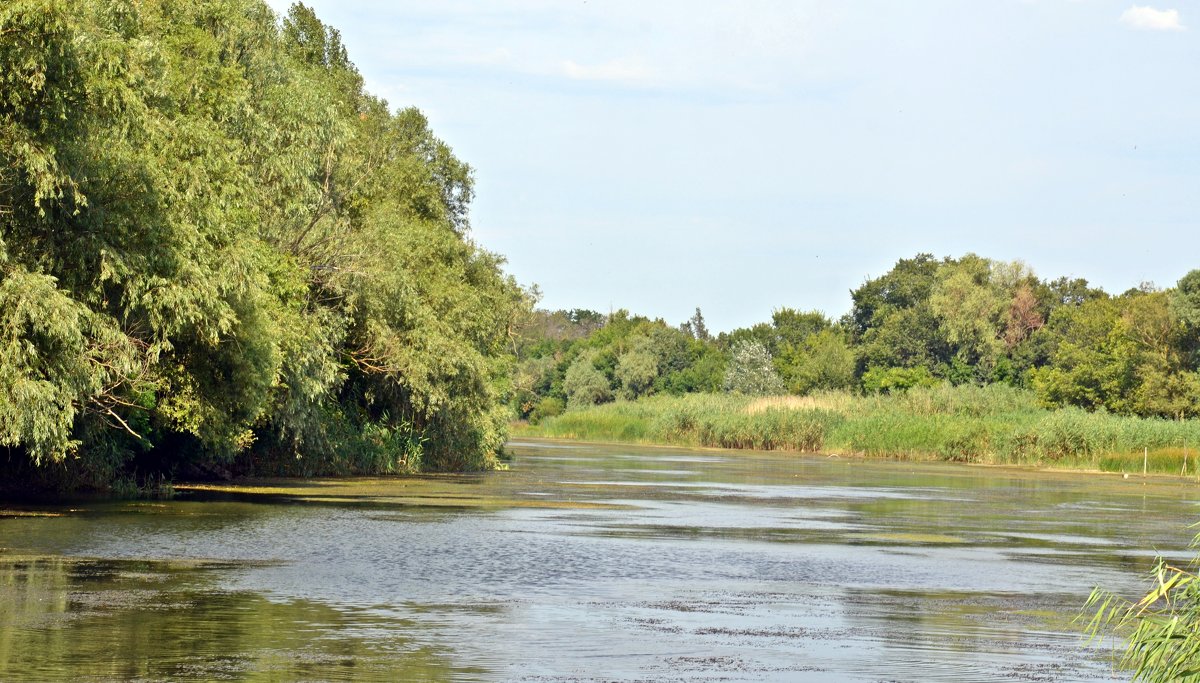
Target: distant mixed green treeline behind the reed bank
{"points": [[926, 322]]}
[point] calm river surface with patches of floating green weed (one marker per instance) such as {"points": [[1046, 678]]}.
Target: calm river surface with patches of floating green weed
{"points": [[589, 564]]}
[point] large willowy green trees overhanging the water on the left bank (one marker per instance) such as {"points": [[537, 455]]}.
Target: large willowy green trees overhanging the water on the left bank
{"points": [[218, 250]]}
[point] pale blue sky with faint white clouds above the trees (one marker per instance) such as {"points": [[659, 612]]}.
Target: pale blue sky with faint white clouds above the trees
{"points": [[745, 157]]}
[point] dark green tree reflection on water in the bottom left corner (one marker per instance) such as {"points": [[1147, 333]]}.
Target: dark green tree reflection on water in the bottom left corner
{"points": [[153, 620]]}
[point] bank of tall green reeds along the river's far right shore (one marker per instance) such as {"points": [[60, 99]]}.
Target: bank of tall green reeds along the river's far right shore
{"points": [[998, 426]]}
